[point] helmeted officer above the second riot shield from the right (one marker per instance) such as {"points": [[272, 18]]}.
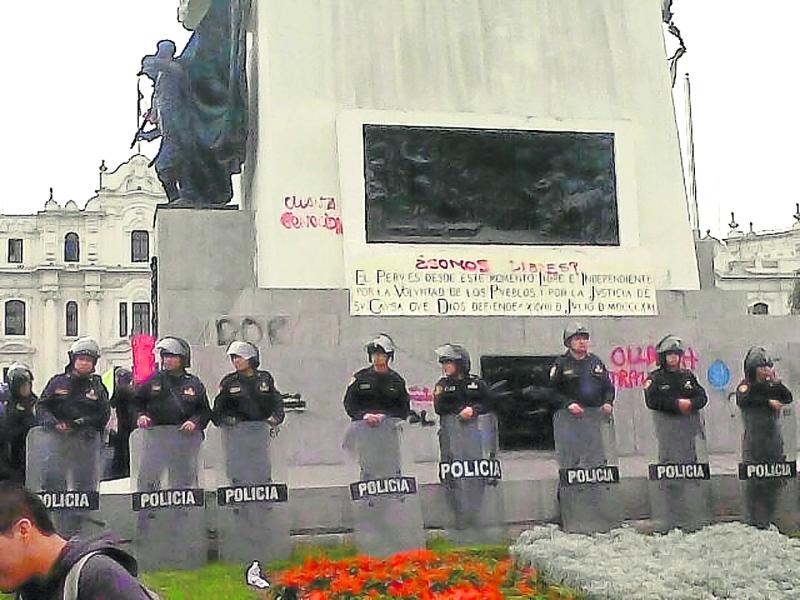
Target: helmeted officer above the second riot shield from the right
{"points": [[671, 388]]}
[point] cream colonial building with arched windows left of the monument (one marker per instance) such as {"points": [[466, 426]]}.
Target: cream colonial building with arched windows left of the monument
{"points": [[67, 272]]}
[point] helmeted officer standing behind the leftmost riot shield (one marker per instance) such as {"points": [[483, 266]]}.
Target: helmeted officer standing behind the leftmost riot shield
{"points": [[76, 400]]}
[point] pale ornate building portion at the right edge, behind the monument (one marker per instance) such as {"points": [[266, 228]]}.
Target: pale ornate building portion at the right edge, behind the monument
{"points": [[764, 265]]}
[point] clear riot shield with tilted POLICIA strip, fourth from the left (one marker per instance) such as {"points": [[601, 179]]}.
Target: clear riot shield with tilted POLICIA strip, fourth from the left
{"points": [[387, 515]]}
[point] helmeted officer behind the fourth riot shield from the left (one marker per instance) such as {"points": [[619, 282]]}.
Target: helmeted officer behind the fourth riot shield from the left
{"points": [[377, 391]]}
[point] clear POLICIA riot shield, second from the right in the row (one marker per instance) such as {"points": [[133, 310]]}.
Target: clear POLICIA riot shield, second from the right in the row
{"points": [[679, 475]]}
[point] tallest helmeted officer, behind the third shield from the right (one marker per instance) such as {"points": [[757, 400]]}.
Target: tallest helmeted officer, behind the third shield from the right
{"points": [[579, 378]]}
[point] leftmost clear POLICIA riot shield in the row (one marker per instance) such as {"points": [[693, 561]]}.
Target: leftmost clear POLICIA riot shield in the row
{"points": [[64, 468]]}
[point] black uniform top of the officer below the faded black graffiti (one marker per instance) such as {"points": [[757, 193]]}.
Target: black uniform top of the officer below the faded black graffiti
{"points": [[243, 398]]}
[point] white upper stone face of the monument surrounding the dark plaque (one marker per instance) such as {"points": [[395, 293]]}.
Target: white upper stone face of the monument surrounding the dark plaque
{"points": [[555, 64]]}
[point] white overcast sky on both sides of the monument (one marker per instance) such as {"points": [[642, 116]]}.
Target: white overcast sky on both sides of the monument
{"points": [[69, 99]]}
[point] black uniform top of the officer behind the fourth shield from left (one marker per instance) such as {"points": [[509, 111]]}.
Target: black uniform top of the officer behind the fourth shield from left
{"points": [[373, 392]]}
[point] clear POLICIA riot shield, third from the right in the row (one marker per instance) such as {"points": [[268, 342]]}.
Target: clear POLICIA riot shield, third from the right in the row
{"points": [[588, 471]]}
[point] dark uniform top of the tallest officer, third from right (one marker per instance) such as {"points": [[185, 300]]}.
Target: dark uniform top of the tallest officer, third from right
{"points": [[584, 381]]}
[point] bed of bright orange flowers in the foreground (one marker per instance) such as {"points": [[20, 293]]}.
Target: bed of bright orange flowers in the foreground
{"points": [[413, 575]]}
